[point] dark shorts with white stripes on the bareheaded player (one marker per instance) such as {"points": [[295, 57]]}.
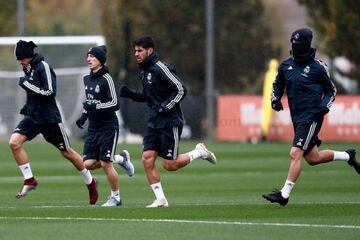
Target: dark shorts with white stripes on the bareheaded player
{"points": [[165, 141]]}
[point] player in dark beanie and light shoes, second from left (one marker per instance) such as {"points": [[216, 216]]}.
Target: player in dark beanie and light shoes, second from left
{"points": [[103, 130]]}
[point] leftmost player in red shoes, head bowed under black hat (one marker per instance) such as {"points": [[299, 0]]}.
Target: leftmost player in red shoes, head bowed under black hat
{"points": [[42, 116]]}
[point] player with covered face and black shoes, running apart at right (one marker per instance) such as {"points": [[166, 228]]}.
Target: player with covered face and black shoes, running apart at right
{"points": [[310, 94]]}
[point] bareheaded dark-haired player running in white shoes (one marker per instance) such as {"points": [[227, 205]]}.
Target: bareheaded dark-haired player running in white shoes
{"points": [[162, 91]]}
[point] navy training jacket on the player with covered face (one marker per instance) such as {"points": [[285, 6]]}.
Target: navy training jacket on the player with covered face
{"points": [[308, 87]]}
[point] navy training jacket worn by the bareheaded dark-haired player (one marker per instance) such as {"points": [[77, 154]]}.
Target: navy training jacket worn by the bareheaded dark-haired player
{"points": [[162, 91]]}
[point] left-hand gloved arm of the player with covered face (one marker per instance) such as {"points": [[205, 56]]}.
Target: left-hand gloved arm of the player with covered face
{"points": [[278, 90]]}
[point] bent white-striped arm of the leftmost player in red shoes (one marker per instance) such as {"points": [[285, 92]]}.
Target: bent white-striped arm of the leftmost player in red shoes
{"points": [[48, 88]]}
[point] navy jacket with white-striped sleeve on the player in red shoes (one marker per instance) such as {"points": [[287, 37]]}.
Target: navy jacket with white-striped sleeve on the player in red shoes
{"points": [[40, 86]]}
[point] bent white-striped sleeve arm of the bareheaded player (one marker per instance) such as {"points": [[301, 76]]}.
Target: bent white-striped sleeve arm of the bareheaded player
{"points": [[175, 85]]}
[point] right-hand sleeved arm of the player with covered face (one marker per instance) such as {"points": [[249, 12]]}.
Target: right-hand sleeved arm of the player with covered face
{"points": [[328, 88]]}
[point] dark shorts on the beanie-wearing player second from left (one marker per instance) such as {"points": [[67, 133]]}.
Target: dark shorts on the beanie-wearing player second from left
{"points": [[101, 145]]}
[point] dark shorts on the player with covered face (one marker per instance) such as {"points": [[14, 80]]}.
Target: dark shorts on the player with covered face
{"points": [[306, 136]]}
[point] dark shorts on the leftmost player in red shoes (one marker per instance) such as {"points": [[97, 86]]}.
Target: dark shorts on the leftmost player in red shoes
{"points": [[53, 133]]}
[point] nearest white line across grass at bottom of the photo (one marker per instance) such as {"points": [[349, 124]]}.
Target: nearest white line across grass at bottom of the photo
{"points": [[186, 221]]}
